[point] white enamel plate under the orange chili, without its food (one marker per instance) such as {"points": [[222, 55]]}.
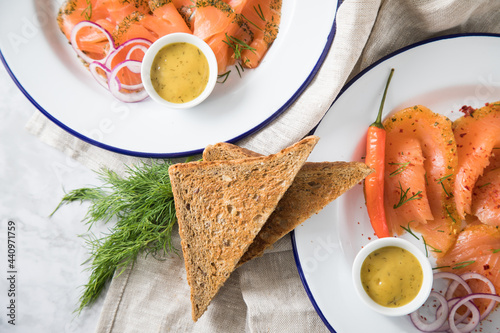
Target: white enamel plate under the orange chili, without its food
{"points": [[442, 74]]}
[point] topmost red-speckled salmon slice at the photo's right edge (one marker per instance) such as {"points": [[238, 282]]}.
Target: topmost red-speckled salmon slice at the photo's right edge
{"points": [[476, 134]]}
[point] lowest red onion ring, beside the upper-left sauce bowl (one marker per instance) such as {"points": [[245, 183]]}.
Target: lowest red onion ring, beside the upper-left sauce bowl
{"points": [[115, 86]]}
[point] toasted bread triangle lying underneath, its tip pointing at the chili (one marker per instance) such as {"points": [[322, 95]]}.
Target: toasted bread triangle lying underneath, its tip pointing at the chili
{"points": [[315, 186]]}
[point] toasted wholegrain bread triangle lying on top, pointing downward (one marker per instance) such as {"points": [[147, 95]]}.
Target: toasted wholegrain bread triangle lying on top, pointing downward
{"points": [[221, 206]]}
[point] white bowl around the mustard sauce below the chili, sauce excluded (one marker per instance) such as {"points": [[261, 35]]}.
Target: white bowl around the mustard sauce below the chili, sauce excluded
{"points": [[425, 289]]}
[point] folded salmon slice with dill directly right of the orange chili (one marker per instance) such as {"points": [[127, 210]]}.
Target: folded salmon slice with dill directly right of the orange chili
{"points": [[419, 176]]}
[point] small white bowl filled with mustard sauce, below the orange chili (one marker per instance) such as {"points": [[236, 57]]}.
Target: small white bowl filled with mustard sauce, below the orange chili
{"points": [[392, 276]]}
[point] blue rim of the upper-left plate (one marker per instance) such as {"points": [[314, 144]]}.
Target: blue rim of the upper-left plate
{"points": [[253, 130]]}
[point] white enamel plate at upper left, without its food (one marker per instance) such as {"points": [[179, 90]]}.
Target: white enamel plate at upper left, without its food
{"points": [[46, 69]]}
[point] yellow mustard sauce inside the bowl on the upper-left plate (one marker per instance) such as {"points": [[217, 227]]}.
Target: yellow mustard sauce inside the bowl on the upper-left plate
{"points": [[179, 72]]}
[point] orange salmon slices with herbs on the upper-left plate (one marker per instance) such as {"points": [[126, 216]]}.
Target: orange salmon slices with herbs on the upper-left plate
{"points": [[240, 30]]}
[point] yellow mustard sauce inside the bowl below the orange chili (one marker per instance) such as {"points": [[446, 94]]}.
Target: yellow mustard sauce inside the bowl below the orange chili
{"points": [[391, 276]]}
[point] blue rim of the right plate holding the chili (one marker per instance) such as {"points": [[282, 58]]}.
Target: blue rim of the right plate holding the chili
{"points": [[342, 91]]}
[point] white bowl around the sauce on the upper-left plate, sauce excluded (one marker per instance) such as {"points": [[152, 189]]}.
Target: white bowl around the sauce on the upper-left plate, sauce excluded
{"points": [[180, 37]]}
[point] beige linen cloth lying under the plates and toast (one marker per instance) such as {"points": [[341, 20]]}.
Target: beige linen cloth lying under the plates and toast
{"points": [[266, 294]]}
